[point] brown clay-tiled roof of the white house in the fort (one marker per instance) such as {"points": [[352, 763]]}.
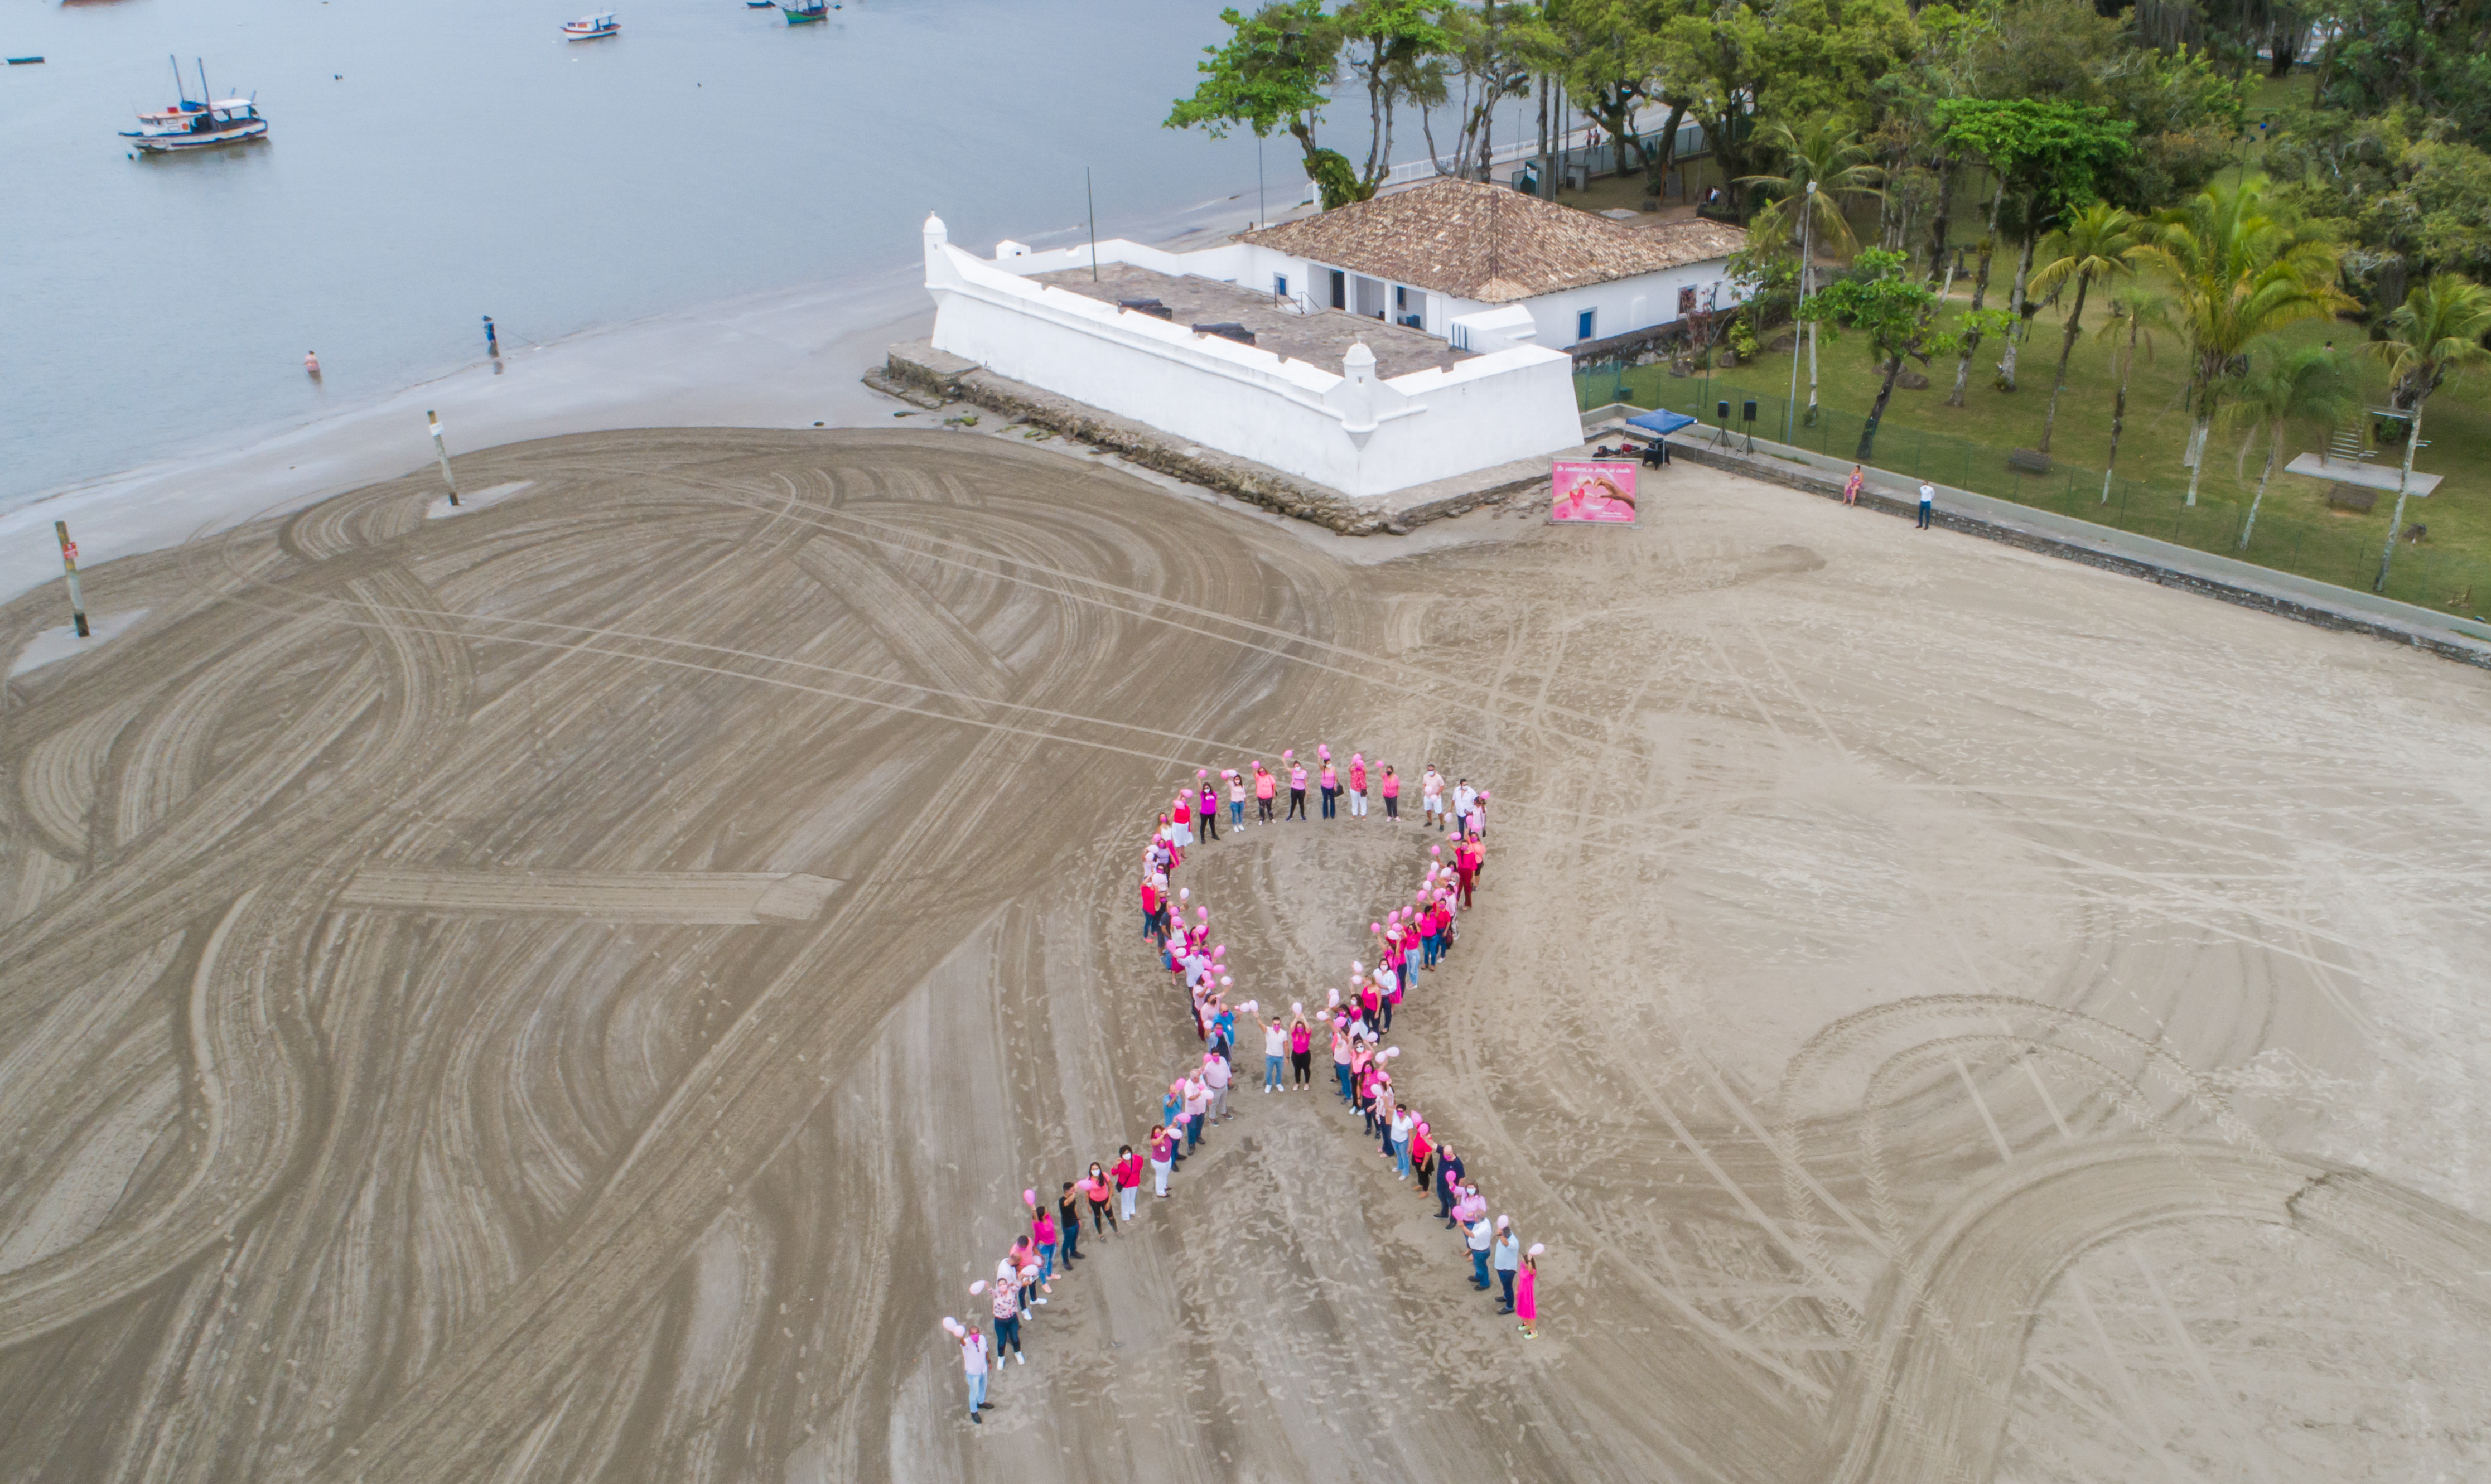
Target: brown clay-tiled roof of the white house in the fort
{"points": [[1491, 243]]}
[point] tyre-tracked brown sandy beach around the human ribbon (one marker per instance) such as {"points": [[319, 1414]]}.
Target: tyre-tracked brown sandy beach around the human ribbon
{"points": [[574, 990]]}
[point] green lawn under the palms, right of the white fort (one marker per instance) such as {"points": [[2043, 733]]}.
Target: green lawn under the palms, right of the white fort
{"points": [[1967, 447]]}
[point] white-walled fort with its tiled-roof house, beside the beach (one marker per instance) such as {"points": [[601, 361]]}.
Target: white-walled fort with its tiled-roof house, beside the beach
{"points": [[1384, 347]]}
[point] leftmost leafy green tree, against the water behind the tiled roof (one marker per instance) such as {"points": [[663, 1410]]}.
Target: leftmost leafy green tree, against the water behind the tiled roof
{"points": [[1274, 73]]}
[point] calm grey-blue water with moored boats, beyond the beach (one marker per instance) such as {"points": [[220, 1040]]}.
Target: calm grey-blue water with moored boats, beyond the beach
{"points": [[457, 158]]}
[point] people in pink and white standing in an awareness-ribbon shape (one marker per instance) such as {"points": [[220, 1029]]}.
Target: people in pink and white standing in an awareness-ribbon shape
{"points": [[1409, 942]]}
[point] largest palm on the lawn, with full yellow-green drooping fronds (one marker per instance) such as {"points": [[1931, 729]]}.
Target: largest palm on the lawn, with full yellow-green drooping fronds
{"points": [[2238, 275]]}
